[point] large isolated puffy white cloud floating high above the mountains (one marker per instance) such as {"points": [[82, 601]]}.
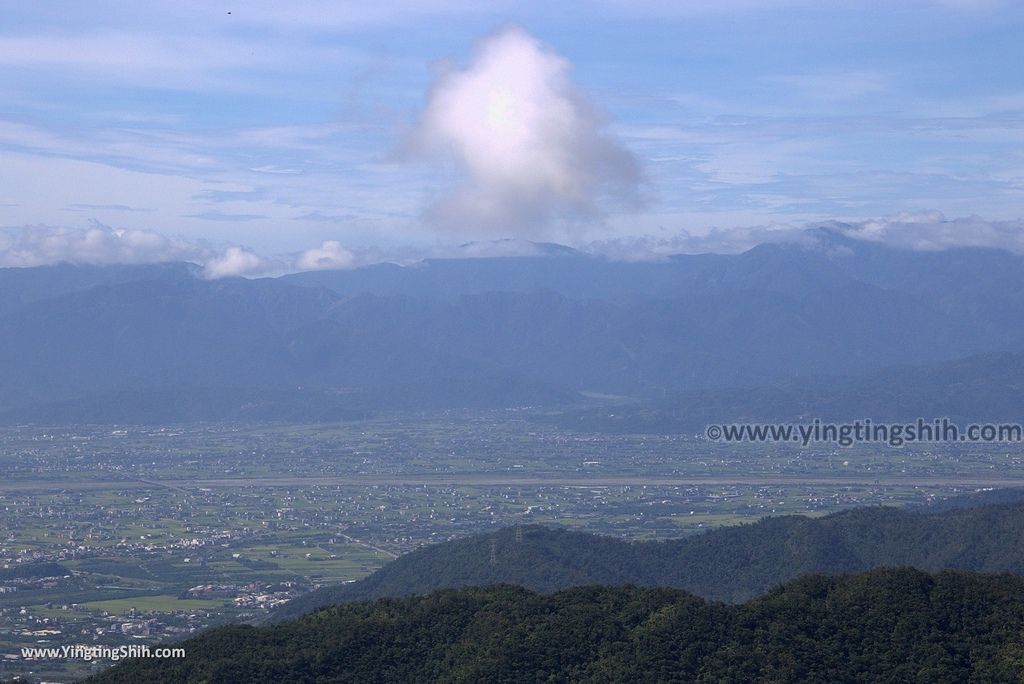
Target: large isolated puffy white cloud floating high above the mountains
{"points": [[533, 149]]}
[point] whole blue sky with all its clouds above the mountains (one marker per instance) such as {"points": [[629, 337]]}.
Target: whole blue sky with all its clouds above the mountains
{"points": [[265, 137]]}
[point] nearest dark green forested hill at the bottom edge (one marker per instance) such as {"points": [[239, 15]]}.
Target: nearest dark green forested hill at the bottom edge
{"points": [[885, 626]]}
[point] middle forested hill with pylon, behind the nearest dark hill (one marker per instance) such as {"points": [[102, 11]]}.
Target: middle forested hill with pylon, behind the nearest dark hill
{"points": [[729, 565]]}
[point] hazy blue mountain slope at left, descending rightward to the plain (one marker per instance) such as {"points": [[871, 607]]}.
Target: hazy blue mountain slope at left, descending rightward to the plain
{"points": [[191, 350]]}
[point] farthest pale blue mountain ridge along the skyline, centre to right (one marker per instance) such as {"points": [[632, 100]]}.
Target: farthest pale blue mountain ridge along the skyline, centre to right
{"points": [[824, 259]]}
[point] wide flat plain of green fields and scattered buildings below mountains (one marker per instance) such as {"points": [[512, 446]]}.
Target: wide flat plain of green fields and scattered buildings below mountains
{"points": [[146, 535]]}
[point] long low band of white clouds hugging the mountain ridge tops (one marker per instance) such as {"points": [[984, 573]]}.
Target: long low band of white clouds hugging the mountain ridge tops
{"points": [[36, 246]]}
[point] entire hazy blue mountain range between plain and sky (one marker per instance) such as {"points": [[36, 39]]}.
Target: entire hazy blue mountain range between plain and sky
{"points": [[830, 327]]}
